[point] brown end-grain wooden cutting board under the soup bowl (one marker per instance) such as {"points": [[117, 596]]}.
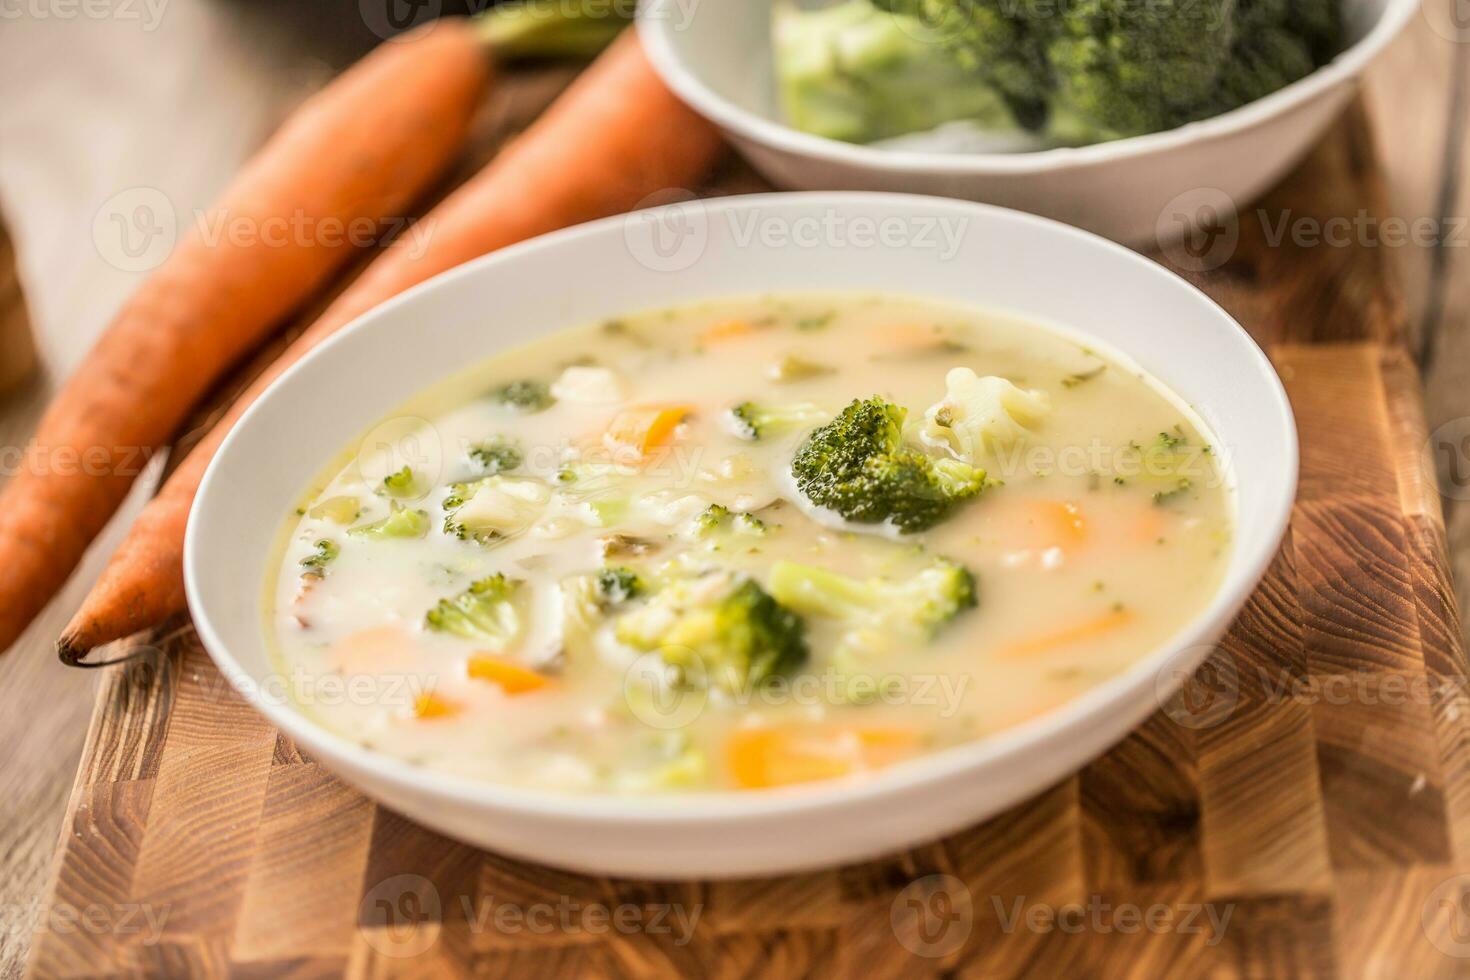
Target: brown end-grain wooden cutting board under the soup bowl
{"points": [[1303, 810]]}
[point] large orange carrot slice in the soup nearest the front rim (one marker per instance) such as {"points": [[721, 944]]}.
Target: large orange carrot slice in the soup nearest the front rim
{"points": [[802, 754]]}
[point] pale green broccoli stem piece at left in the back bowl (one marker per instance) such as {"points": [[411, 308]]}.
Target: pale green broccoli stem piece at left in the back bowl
{"points": [[859, 74]]}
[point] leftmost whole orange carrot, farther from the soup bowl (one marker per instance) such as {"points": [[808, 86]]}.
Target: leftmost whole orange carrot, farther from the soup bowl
{"points": [[358, 152]]}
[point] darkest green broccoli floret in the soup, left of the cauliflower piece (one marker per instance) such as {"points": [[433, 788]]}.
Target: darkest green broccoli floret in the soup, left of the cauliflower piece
{"points": [[858, 468]]}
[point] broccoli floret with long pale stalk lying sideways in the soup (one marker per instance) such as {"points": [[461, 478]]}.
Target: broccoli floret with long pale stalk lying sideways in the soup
{"points": [[918, 605]]}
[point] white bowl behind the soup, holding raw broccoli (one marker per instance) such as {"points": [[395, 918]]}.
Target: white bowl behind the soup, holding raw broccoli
{"points": [[1141, 192]]}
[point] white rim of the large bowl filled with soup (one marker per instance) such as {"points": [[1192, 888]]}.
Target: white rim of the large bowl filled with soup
{"points": [[1180, 655]]}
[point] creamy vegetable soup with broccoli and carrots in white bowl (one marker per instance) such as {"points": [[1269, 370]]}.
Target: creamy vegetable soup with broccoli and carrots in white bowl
{"points": [[746, 544]]}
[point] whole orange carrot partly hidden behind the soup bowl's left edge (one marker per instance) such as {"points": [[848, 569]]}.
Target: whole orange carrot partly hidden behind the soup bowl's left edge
{"points": [[615, 137]]}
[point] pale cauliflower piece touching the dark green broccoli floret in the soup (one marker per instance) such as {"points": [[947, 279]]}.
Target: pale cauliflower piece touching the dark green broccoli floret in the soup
{"points": [[981, 417]]}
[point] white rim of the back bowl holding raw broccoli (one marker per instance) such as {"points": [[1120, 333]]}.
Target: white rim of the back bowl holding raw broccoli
{"points": [[656, 33]]}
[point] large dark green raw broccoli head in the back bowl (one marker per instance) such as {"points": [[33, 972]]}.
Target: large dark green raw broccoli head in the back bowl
{"points": [[1087, 71]]}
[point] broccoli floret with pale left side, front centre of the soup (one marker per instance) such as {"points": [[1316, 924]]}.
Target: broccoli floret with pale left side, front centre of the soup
{"points": [[718, 627]]}
